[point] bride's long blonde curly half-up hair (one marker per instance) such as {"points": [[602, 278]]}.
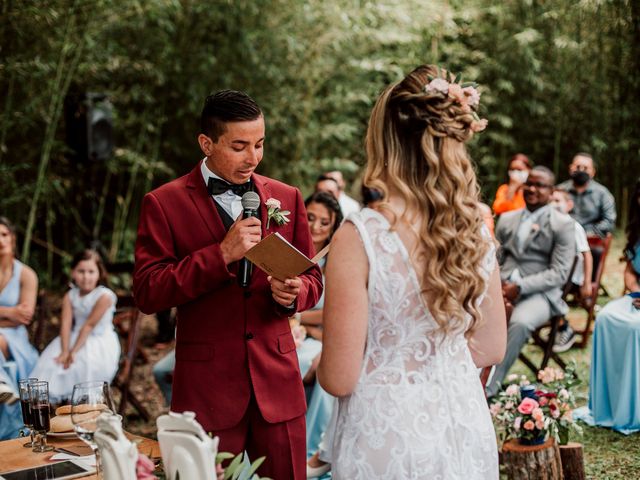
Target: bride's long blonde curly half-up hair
{"points": [[415, 149]]}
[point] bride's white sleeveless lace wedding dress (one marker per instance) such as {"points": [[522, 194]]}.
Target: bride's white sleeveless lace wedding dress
{"points": [[418, 410]]}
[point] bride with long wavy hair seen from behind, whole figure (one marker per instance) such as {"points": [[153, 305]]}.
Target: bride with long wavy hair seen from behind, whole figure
{"points": [[413, 298]]}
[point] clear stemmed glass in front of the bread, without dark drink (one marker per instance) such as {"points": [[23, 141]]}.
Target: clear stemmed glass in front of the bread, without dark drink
{"points": [[88, 401]]}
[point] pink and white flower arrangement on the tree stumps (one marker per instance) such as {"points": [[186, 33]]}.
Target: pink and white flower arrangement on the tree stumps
{"points": [[531, 412]]}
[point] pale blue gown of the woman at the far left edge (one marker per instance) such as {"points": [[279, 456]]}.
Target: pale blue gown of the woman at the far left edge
{"points": [[22, 358]]}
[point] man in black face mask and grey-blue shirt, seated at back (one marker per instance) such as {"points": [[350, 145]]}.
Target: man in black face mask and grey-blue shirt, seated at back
{"points": [[594, 206]]}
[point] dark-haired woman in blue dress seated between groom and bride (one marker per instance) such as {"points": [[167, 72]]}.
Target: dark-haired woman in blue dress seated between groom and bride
{"points": [[324, 216]]}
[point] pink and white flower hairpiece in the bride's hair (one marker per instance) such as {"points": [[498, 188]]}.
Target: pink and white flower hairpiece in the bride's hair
{"points": [[465, 94]]}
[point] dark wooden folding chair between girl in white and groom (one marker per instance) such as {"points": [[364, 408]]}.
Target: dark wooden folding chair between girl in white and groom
{"points": [[128, 319]]}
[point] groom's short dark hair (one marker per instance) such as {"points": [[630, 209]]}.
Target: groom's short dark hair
{"points": [[226, 106]]}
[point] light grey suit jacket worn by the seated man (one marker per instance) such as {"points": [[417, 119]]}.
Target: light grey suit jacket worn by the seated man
{"points": [[546, 257]]}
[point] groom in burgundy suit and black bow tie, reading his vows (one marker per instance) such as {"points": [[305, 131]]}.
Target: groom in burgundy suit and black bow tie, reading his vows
{"points": [[236, 363]]}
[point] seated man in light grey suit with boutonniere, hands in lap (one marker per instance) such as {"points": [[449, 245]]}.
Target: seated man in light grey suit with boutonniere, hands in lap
{"points": [[537, 249]]}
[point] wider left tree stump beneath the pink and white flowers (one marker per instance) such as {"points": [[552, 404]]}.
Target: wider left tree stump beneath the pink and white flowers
{"points": [[538, 462]]}
